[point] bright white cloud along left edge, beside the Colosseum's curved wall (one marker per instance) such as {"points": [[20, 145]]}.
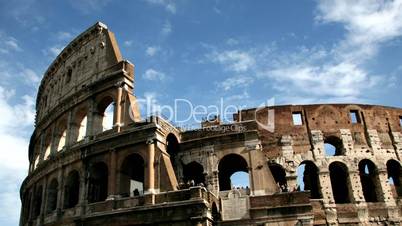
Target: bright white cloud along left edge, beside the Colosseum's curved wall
{"points": [[15, 119]]}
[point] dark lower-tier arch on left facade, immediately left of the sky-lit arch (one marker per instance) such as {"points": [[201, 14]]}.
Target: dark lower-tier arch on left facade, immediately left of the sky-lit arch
{"points": [[97, 182]]}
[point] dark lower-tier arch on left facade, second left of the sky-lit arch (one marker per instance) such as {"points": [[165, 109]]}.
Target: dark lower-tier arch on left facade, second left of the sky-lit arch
{"points": [[71, 189]]}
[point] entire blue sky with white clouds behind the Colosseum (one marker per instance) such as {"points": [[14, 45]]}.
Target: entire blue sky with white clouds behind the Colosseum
{"points": [[294, 51]]}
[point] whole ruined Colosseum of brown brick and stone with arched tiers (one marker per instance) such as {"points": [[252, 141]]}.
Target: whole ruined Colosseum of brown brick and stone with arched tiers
{"points": [[146, 171]]}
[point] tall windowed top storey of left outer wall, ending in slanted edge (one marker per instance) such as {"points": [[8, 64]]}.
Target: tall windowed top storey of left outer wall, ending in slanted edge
{"points": [[80, 63]]}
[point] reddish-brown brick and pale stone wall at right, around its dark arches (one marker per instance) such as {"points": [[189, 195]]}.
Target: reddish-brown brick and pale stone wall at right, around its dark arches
{"points": [[375, 136]]}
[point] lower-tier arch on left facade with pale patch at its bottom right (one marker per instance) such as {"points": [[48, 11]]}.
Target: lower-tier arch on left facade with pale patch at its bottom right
{"points": [[132, 176]]}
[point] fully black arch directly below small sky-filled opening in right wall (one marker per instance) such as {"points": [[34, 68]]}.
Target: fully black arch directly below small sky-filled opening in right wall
{"points": [[340, 182]]}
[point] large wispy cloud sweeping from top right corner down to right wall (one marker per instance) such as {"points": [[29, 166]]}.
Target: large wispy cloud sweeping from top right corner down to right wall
{"points": [[316, 73]]}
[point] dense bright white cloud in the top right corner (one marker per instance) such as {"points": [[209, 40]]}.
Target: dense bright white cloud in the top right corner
{"points": [[368, 24]]}
